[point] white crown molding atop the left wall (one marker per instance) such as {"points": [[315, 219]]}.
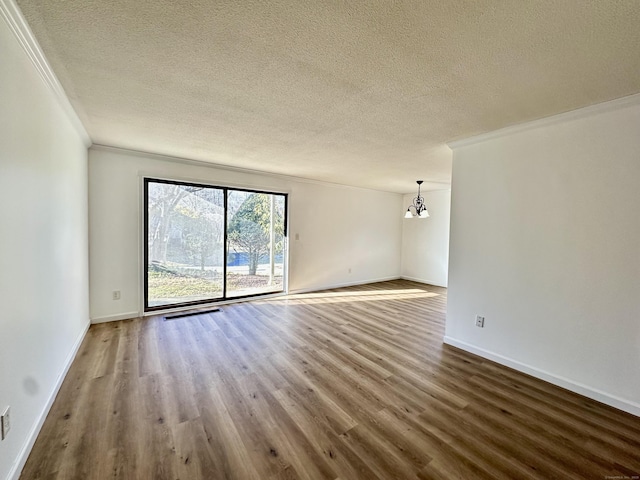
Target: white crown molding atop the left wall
{"points": [[12, 15]]}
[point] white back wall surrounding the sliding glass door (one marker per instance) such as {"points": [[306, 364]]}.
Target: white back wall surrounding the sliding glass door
{"points": [[338, 227]]}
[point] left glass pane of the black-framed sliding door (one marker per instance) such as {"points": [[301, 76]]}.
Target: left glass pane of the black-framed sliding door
{"points": [[185, 243]]}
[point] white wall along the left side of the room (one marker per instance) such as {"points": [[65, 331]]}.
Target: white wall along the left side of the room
{"points": [[43, 248]]}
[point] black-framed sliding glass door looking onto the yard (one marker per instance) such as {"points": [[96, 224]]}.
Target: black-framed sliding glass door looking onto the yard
{"points": [[205, 243]]}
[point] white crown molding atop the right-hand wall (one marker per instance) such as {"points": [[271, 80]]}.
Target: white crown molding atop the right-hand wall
{"points": [[616, 104]]}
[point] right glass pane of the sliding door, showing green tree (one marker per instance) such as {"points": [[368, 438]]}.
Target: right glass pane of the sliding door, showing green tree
{"points": [[255, 249]]}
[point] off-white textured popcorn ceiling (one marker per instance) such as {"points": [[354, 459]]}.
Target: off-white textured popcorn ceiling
{"points": [[363, 93]]}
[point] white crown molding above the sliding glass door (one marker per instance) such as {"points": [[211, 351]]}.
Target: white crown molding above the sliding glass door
{"points": [[203, 163]]}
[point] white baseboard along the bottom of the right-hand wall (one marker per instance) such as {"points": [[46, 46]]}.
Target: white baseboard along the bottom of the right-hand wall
{"points": [[579, 388]]}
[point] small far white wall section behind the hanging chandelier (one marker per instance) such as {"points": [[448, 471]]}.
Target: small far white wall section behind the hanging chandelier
{"points": [[425, 241]]}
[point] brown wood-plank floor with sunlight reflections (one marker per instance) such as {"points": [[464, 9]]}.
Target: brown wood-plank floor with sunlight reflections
{"points": [[353, 383]]}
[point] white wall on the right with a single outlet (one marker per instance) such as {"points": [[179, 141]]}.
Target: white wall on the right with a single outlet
{"points": [[545, 242]]}
